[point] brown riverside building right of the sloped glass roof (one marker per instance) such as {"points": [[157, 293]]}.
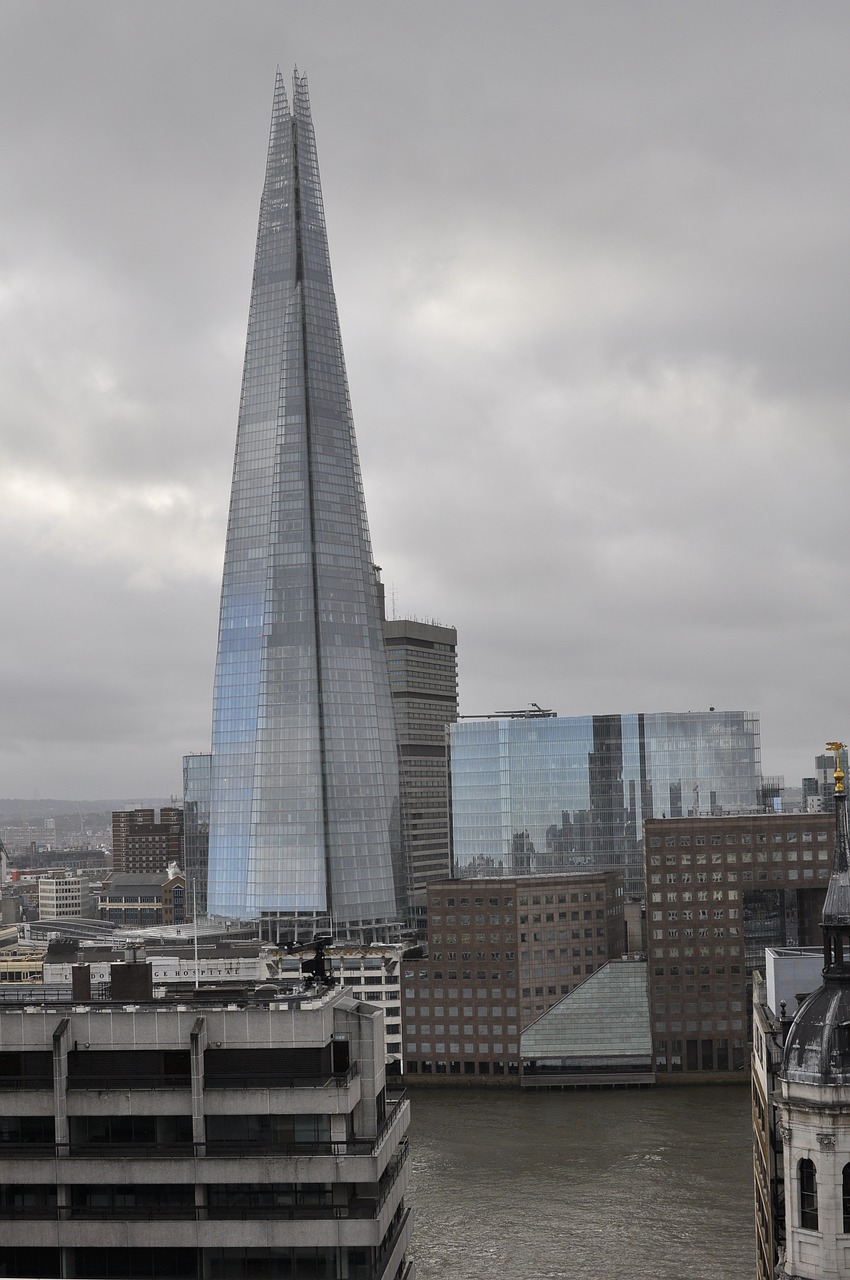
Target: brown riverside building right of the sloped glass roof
{"points": [[719, 893]]}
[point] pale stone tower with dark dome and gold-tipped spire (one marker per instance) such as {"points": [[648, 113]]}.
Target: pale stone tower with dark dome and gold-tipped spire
{"points": [[815, 1080]]}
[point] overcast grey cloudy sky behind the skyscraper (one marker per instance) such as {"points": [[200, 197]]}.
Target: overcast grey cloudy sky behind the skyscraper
{"points": [[592, 264]]}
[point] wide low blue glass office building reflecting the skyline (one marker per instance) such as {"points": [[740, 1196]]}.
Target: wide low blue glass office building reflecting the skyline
{"points": [[549, 794]]}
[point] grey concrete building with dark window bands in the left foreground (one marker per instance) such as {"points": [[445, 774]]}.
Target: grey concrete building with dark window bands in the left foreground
{"points": [[205, 1137]]}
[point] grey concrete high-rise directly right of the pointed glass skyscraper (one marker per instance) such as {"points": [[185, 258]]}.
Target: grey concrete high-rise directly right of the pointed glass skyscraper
{"points": [[423, 679]]}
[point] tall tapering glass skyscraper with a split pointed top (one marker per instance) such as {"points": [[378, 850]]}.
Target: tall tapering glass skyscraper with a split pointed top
{"points": [[304, 771]]}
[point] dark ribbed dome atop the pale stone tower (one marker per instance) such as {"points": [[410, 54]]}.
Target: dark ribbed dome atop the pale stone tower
{"points": [[817, 1049]]}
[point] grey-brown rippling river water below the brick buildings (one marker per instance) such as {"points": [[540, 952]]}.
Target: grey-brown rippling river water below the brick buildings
{"points": [[639, 1185]]}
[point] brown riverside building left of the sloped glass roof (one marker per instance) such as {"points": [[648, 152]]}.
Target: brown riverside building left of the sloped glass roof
{"points": [[501, 953]]}
